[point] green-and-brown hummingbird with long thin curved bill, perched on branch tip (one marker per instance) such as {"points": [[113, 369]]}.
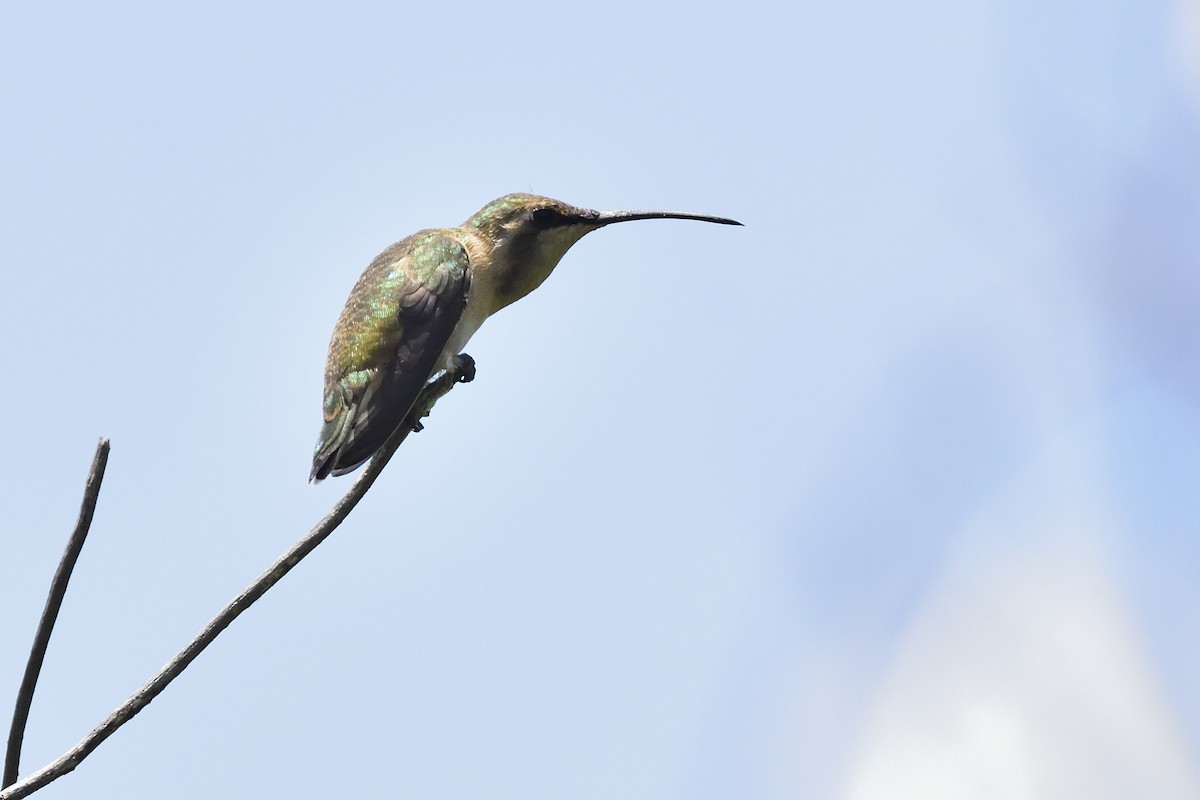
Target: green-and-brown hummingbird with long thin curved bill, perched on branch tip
{"points": [[398, 345]]}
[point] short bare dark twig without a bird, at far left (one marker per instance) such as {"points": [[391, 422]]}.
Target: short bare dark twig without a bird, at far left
{"points": [[51, 615]]}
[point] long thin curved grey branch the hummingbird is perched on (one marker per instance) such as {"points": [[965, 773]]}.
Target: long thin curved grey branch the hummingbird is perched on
{"points": [[153, 688]]}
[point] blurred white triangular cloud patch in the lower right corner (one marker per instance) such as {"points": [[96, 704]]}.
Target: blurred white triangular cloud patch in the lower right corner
{"points": [[1023, 675]]}
